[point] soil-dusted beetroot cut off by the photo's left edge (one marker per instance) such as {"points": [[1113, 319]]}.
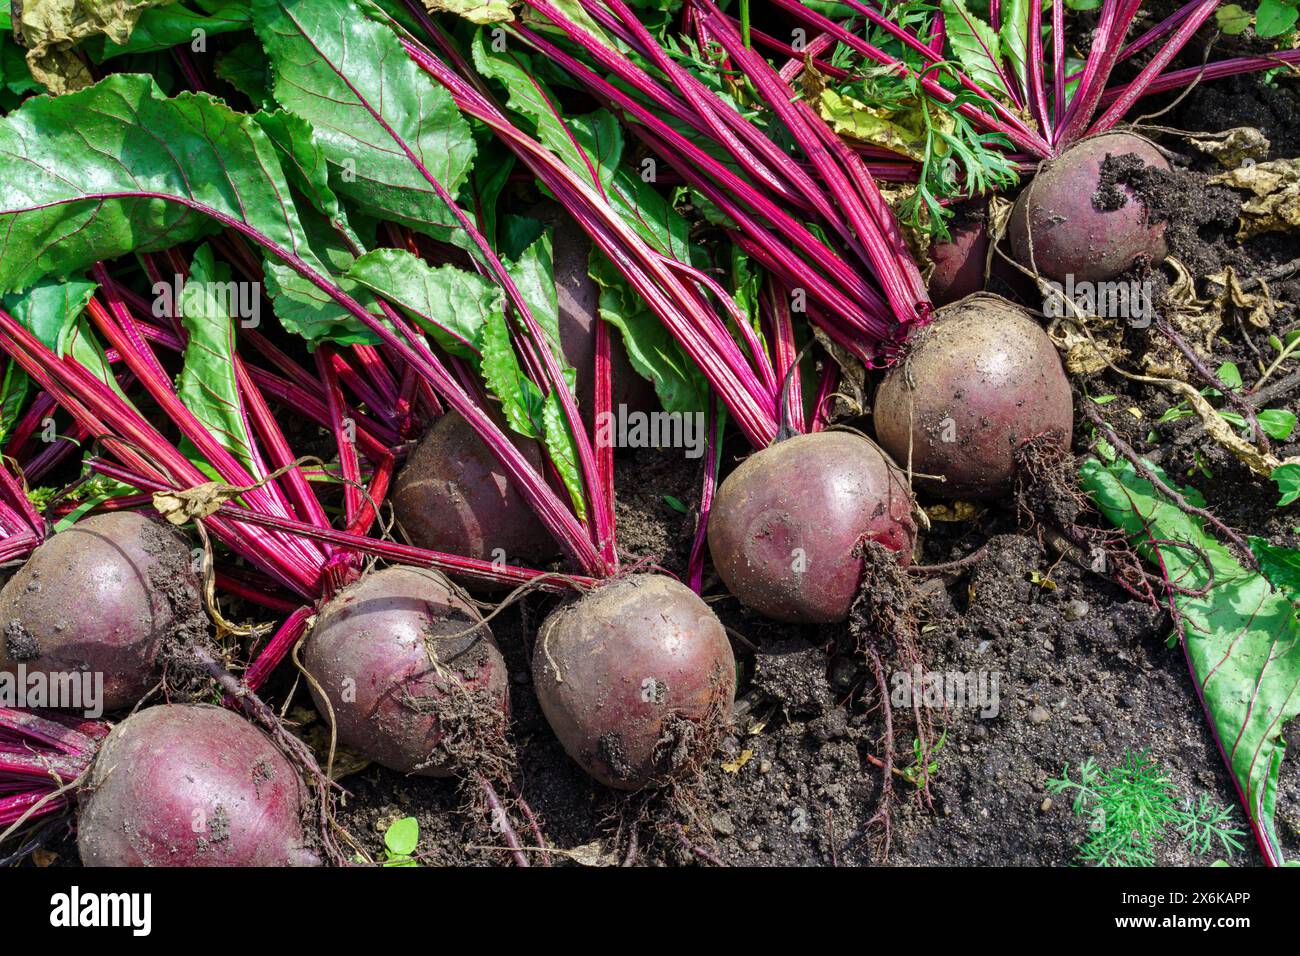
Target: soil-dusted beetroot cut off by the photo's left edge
{"points": [[103, 596]]}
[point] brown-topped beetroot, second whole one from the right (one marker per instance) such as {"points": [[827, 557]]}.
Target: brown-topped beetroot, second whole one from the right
{"points": [[980, 382]]}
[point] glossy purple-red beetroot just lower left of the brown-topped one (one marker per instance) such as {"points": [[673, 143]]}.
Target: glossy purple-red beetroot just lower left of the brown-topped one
{"points": [[786, 526]]}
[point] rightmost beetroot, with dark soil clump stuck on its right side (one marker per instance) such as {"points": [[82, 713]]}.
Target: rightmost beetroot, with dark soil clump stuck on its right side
{"points": [[1080, 226]]}
